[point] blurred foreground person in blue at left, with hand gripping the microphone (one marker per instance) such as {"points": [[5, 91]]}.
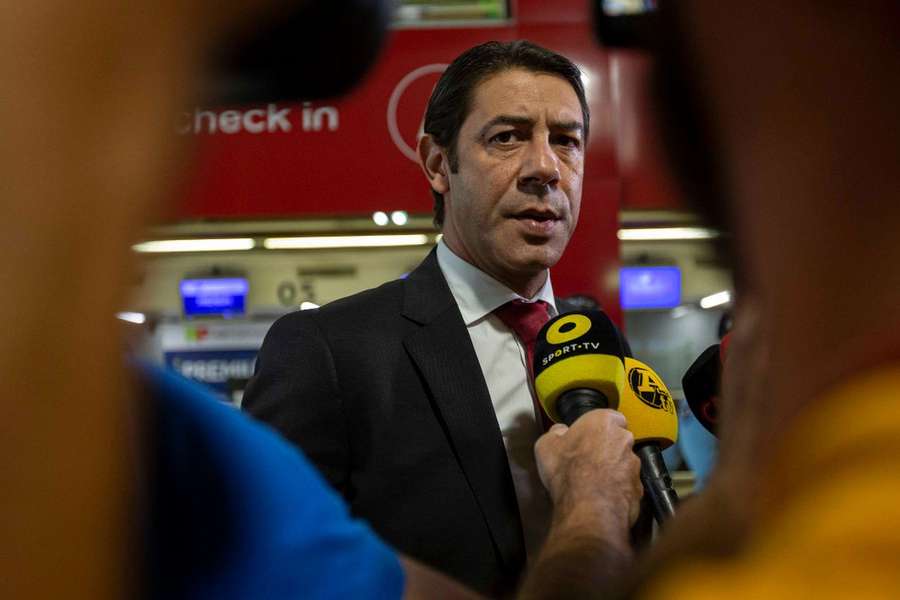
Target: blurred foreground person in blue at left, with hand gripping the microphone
{"points": [[127, 482]]}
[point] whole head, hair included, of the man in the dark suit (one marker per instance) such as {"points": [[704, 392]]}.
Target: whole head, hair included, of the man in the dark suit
{"points": [[503, 150]]}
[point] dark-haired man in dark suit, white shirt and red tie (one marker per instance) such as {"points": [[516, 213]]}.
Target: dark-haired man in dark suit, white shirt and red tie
{"points": [[413, 399]]}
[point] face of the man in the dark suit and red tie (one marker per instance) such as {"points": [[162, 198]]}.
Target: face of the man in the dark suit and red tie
{"points": [[514, 199]]}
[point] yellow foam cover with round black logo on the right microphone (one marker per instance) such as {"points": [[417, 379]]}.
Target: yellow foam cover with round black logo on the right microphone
{"points": [[648, 405]]}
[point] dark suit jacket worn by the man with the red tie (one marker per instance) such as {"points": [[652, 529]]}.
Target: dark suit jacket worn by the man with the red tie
{"points": [[384, 393]]}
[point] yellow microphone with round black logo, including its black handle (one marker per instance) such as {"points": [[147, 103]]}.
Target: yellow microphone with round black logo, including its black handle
{"points": [[650, 412]]}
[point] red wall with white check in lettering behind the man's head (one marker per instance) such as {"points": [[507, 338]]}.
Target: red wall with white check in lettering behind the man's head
{"points": [[356, 155]]}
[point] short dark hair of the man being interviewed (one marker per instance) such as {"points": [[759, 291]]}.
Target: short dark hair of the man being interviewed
{"points": [[451, 99]]}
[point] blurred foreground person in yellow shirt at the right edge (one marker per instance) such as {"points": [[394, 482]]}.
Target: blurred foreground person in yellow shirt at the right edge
{"points": [[783, 124]]}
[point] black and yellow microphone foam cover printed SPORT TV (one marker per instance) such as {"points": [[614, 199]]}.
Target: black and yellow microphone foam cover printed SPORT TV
{"points": [[578, 350]]}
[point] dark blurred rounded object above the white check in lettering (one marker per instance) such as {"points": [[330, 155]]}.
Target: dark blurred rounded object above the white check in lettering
{"points": [[305, 50]]}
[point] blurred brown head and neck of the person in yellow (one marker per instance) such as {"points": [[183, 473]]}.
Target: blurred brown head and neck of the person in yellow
{"points": [[781, 121]]}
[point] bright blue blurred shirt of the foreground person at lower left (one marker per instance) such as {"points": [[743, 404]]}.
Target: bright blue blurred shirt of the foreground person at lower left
{"points": [[236, 512]]}
